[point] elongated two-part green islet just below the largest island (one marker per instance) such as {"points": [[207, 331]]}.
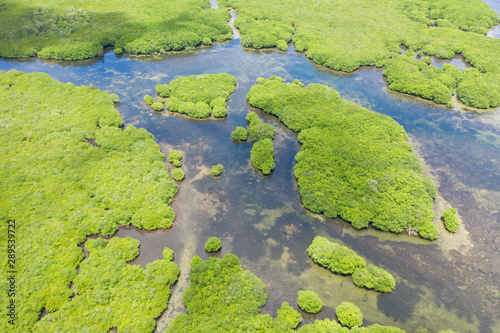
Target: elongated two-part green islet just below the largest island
{"points": [[342, 260]]}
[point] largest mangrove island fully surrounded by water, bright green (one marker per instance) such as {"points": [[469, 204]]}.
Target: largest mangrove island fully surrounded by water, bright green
{"points": [[353, 163]]}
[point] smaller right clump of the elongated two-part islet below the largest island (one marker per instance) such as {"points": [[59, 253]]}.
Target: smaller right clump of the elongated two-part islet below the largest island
{"points": [[373, 277]]}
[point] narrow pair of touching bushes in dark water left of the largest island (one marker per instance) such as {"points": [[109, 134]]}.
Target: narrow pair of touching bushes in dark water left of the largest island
{"points": [[262, 135]]}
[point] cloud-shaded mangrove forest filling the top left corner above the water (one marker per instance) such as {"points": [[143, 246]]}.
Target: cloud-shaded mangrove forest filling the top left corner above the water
{"points": [[70, 30]]}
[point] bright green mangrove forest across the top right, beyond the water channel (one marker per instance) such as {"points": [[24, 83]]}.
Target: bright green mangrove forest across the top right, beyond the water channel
{"points": [[347, 35]]}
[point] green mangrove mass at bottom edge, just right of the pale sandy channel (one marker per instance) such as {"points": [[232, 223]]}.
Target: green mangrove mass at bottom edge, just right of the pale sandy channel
{"points": [[225, 298]]}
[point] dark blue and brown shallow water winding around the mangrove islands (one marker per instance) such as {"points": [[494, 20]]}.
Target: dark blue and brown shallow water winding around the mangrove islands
{"points": [[449, 283]]}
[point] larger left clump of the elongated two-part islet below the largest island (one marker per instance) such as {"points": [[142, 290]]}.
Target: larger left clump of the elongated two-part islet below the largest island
{"points": [[339, 259]]}
